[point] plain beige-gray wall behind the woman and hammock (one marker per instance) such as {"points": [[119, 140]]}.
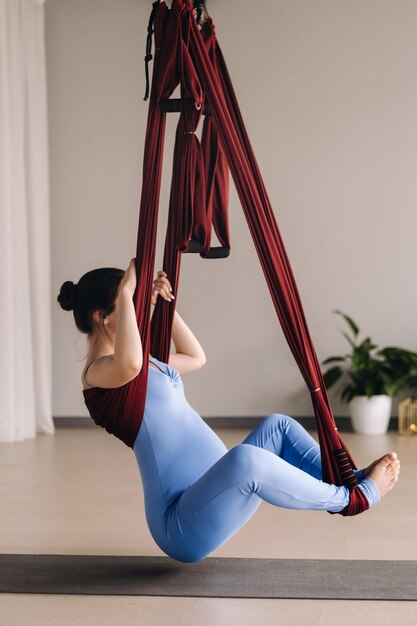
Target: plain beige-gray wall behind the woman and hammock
{"points": [[328, 92]]}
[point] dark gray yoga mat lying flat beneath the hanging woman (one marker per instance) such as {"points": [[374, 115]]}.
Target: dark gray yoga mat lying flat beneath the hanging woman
{"points": [[212, 577]]}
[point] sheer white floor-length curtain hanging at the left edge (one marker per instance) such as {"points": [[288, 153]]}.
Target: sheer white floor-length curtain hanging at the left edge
{"points": [[25, 315]]}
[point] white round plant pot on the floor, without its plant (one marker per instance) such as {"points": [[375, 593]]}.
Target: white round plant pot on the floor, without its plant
{"points": [[370, 416]]}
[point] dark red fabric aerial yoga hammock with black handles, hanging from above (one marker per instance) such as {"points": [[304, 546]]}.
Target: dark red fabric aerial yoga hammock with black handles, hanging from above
{"points": [[190, 57]]}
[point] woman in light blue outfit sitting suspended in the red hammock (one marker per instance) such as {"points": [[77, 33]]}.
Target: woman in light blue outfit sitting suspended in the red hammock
{"points": [[197, 492]]}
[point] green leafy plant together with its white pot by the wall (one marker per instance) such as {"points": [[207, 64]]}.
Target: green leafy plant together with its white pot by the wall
{"points": [[372, 378]]}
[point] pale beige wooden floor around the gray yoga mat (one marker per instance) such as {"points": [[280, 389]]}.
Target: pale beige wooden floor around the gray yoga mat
{"points": [[79, 491]]}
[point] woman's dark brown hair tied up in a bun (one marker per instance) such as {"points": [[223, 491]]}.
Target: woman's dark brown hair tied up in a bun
{"points": [[96, 290]]}
